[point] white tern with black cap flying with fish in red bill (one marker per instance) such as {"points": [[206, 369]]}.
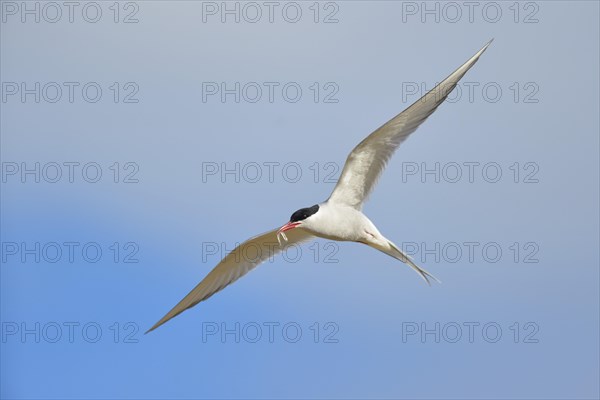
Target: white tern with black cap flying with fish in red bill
{"points": [[339, 217]]}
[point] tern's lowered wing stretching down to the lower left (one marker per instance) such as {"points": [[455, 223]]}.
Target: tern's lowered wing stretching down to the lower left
{"points": [[236, 264]]}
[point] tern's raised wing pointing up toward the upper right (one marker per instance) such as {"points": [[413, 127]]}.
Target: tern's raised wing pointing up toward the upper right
{"points": [[367, 160]]}
